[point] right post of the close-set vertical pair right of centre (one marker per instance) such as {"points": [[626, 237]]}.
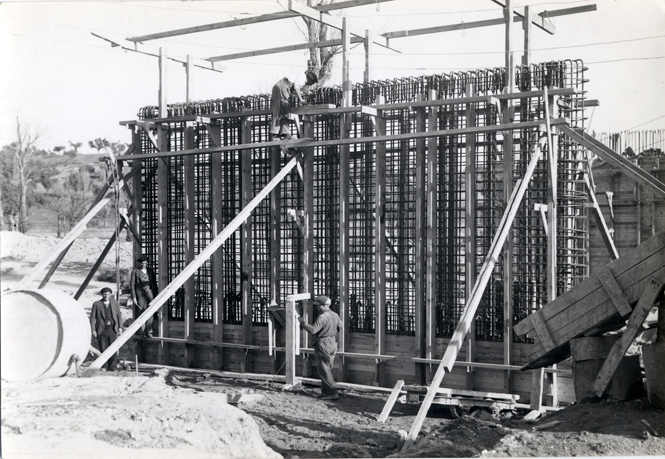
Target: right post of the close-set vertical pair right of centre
{"points": [[431, 236]]}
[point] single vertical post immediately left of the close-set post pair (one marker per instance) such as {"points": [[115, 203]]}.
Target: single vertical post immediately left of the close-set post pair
{"points": [[380, 236]]}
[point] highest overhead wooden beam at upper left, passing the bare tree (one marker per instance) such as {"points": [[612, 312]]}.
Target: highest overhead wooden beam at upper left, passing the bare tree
{"points": [[252, 20]]}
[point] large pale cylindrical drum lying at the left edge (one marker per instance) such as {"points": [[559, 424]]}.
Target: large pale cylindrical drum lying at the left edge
{"points": [[41, 331]]}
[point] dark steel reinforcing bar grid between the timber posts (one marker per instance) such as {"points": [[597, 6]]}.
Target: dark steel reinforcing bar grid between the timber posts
{"points": [[224, 175]]}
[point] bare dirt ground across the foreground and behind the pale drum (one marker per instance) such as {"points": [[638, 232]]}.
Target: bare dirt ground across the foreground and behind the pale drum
{"points": [[159, 413]]}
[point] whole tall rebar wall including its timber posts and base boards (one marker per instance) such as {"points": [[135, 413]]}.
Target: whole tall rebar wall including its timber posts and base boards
{"points": [[389, 207]]}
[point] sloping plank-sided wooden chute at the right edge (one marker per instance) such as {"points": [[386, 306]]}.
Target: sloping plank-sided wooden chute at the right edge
{"points": [[602, 302]]}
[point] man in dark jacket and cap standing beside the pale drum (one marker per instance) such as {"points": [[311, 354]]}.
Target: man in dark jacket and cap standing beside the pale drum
{"points": [[106, 323]]}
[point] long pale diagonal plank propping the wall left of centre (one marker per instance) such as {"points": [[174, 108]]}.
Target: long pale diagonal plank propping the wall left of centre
{"points": [[189, 270]]}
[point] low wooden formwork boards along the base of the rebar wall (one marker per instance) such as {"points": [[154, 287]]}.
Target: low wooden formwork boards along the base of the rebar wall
{"points": [[359, 370]]}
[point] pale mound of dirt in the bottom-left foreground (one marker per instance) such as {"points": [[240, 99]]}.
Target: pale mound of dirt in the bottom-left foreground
{"points": [[111, 415]]}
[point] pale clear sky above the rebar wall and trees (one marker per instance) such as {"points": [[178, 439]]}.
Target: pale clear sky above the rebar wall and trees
{"points": [[70, 86]]}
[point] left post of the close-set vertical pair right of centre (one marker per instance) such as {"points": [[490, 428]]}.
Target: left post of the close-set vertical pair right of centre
{"points": [[420, 242]]}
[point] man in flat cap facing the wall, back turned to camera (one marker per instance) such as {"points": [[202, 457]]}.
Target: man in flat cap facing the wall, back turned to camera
{"points": [[325, 330]]}
